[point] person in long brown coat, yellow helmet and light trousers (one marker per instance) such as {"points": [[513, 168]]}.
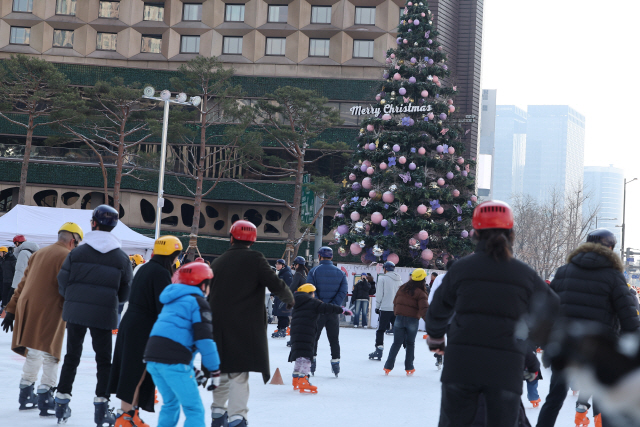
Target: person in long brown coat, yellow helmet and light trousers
{"points": [[36, 307]]}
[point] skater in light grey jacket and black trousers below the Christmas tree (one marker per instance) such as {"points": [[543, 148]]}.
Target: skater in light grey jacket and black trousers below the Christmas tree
{"points": [[388, 284]]}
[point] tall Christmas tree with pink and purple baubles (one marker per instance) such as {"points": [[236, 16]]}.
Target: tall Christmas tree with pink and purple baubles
{"points": [[408, 196]]}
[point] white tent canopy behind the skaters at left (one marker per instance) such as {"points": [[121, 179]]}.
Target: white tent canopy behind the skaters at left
{"points": [[41, 225]]}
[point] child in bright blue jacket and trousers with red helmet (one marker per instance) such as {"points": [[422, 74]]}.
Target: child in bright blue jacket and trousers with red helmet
{"points": [[183, 328]]}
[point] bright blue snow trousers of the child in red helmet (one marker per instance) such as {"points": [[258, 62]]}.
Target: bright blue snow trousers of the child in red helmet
{"points": [[177, 386]]}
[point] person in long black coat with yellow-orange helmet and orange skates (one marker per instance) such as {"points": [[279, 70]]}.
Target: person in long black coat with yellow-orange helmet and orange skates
{"points": [[129, 380]]}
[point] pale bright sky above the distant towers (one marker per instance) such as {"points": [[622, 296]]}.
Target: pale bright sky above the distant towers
{"points": [[577, 53]]}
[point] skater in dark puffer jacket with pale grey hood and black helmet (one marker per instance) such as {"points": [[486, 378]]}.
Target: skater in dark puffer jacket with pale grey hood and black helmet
{"points": [[94, 279]]}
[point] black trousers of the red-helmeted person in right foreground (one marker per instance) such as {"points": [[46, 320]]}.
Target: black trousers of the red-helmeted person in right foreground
{"points": [[460, 403]]}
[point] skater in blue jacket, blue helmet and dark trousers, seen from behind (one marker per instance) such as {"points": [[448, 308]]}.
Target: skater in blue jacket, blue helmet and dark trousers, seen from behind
{"points": [[331, 287]]}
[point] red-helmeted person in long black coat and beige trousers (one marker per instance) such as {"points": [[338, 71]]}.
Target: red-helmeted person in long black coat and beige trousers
{"points": [[240, 277]]}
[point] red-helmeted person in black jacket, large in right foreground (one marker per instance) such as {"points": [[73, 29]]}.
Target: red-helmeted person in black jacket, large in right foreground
{"points": [[490, 292]]}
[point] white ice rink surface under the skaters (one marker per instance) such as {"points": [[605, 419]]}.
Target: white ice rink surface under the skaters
{"points": [[361, 396]]}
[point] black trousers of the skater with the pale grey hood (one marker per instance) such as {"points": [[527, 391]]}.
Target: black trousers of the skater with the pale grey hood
{"points": [[101, 340]]}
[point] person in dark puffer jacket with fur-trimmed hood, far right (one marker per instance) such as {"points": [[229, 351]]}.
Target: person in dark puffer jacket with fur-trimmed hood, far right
{"points": [[592, 288]]}
